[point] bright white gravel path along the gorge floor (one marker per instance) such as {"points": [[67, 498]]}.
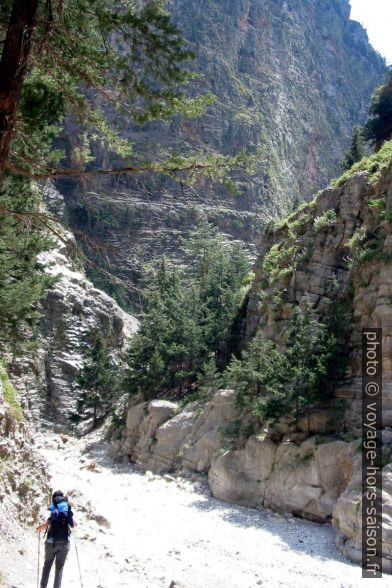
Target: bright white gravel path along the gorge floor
{"points": [[144, 531]]}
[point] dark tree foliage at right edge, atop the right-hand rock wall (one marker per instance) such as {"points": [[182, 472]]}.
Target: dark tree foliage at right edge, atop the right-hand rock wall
{"points": [[378, 128]]}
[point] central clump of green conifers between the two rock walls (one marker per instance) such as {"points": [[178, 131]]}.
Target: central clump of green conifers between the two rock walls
{"points": [[187, 318]]}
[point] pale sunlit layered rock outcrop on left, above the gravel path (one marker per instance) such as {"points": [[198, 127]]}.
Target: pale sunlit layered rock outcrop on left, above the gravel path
{"points": [[73, 311]]}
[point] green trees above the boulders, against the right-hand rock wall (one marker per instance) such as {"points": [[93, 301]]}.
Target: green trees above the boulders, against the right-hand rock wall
{"points": [[273, 383]]}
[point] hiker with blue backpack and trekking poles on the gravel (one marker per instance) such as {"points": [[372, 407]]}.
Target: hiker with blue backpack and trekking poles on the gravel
{"points": [[57, 542]]}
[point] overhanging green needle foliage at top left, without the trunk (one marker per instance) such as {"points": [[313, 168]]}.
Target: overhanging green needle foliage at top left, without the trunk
{"points": [[126, 54]]}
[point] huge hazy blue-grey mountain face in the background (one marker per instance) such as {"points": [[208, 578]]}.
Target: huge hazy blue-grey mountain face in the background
{"points": [[291, 80]]}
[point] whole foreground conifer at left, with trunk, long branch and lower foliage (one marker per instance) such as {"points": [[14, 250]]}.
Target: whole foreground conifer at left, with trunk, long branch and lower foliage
{"points": [[76, 58]]}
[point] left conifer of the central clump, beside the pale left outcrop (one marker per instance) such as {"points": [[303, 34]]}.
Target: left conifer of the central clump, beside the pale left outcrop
{"points": [[166, 351]]}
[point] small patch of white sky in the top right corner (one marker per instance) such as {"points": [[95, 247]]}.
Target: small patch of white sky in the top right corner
{"points": [[376, 17]]}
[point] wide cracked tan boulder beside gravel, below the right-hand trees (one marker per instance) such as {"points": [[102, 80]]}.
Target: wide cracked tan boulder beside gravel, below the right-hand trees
{"points": [[305, 479]]}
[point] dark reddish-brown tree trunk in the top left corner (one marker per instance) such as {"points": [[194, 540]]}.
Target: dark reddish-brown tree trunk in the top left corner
{"points": [[13, 67]]}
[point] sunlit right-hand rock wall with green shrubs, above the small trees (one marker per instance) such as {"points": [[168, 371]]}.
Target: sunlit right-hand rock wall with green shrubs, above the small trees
{"points": [[338, 236]]}
